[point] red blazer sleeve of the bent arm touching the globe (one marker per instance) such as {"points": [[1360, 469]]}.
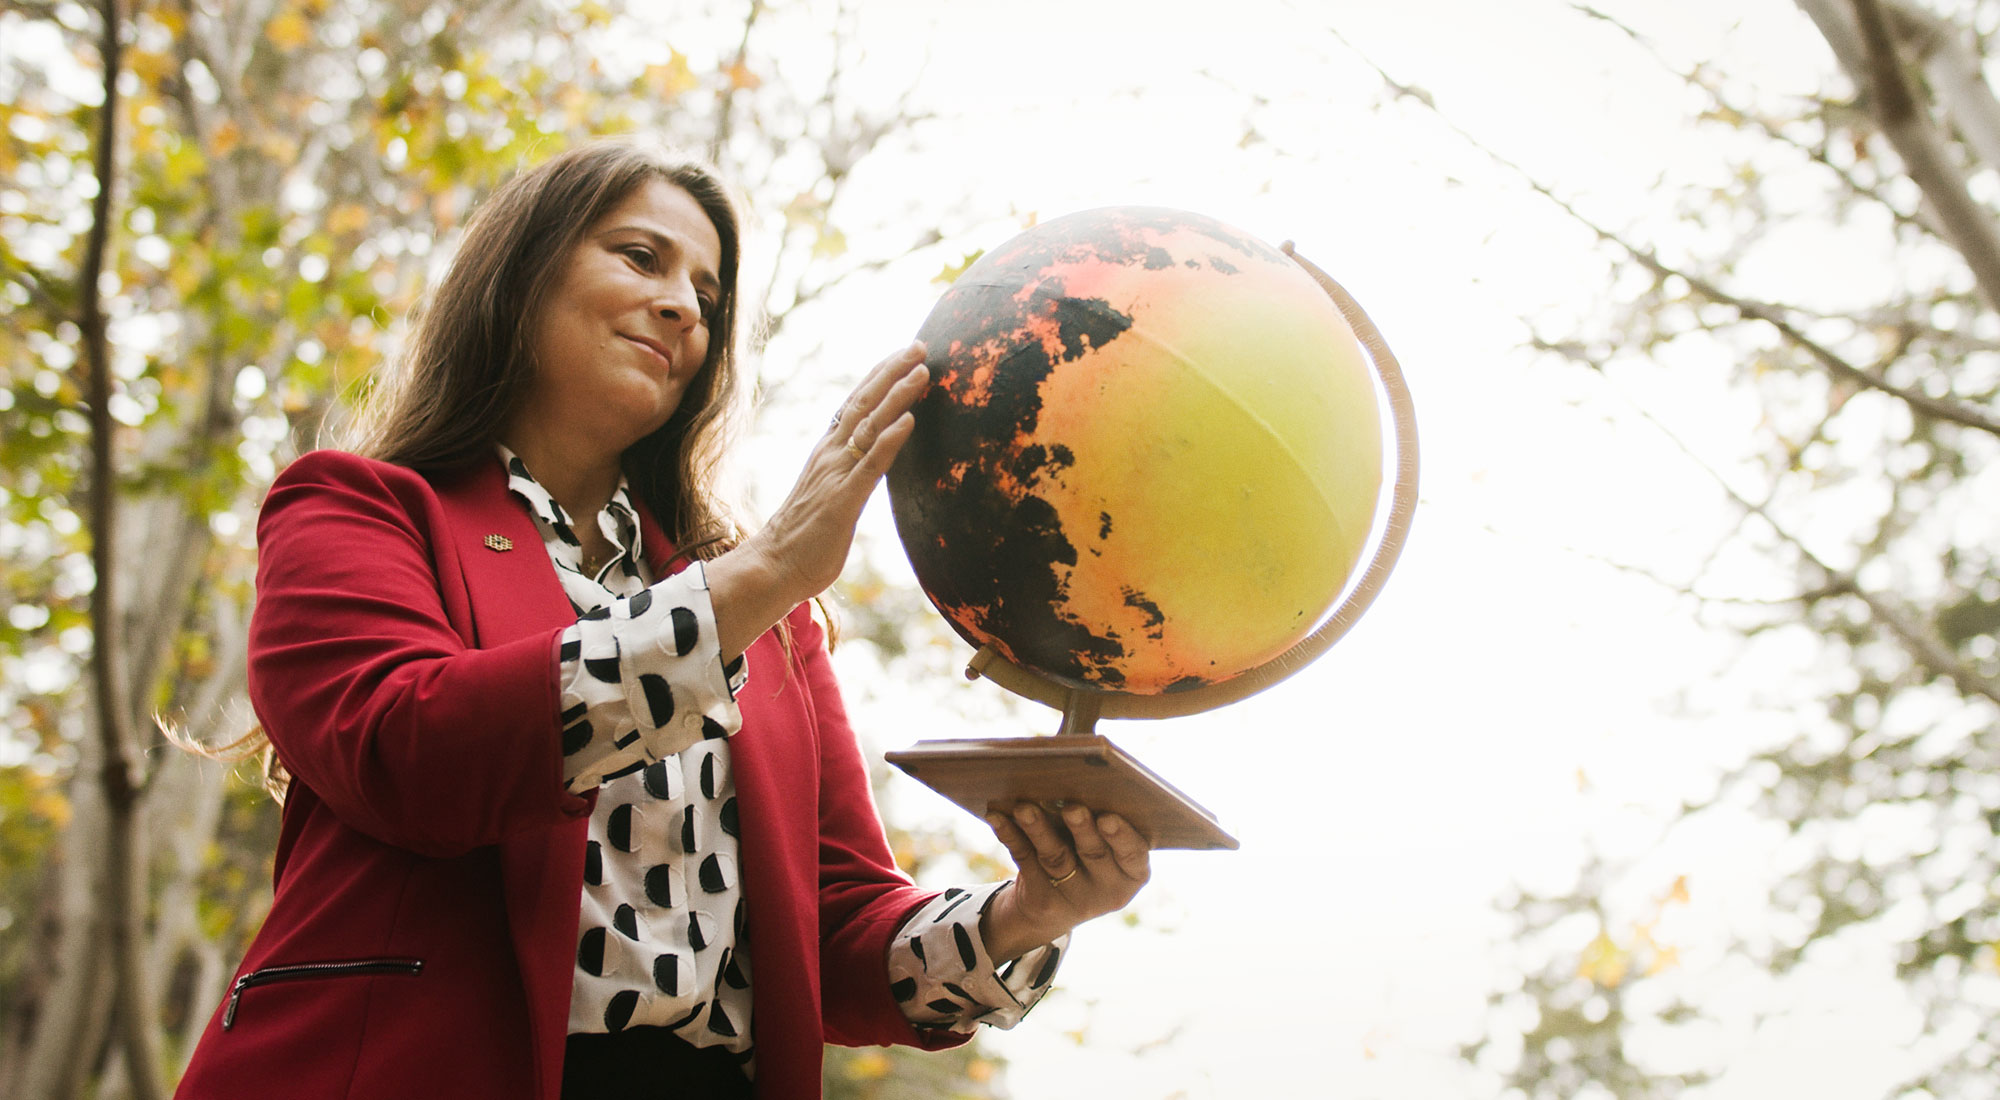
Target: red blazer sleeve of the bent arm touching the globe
{"points": [[365, 687]]}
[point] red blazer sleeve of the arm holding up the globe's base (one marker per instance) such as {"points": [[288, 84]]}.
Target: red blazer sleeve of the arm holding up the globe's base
{"points": [[865, 897]]}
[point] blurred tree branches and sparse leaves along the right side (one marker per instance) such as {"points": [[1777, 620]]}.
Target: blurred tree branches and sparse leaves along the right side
{"points": [[1863, 565]]}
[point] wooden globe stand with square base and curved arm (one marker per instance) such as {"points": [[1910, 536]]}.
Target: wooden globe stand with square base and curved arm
{"points": [[1077, 765]]}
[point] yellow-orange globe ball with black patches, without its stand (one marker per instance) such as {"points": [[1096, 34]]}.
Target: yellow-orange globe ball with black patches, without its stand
{"points": [[1149, 459]]}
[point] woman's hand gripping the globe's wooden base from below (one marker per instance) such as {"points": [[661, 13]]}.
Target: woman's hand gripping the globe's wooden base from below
{"points": [[1073, 867]]}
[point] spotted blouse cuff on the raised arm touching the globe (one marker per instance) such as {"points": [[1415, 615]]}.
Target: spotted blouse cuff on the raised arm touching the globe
{"points": [[643, 679]]}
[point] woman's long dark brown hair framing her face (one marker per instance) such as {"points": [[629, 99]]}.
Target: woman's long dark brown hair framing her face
{"points": [[469, 359]]}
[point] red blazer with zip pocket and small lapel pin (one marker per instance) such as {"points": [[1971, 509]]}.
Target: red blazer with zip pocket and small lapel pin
{"points": [[429, 873]]}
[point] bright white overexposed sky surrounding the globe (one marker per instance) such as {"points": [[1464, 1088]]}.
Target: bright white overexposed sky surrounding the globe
{"points": [[1511, 693]]}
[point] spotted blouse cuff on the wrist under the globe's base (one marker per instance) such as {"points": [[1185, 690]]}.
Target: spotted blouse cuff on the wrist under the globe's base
{"points": [[943, 977]]}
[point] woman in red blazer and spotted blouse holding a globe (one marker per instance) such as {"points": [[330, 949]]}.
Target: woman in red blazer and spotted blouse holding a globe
{"points": [[575, 807]]}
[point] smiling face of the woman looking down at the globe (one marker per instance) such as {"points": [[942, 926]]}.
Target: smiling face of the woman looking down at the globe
{"points": [[625, 327]]}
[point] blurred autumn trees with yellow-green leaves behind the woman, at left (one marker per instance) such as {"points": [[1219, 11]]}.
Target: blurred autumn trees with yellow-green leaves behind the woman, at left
{"points": [[283, 175]]}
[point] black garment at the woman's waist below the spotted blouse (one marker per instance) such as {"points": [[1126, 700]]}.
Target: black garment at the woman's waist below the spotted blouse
{"points": [[649, 1065]]}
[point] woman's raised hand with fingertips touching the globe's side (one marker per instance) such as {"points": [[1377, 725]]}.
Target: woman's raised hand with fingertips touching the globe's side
{"points": [[805, 545]]}
